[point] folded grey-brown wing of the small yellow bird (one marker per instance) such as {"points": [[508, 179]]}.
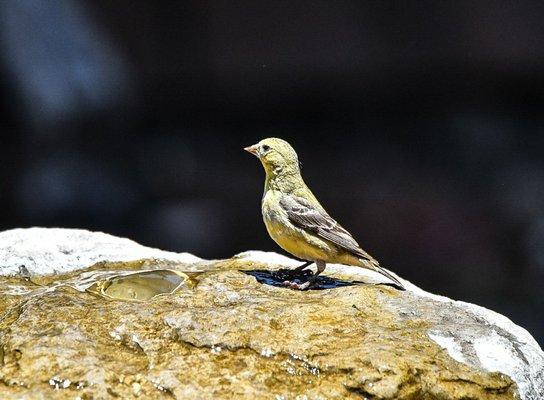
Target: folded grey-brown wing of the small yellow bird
{"points": [[304, 215]]}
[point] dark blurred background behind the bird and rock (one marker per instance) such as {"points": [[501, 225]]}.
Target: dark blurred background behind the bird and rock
{"points": [[419, 125]]}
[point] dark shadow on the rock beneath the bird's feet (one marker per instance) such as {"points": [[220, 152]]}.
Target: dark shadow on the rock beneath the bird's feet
{"points": [[279, 277]]}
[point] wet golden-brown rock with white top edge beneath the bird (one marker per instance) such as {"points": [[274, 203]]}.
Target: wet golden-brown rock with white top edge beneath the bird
{"points": [[223, 334]]}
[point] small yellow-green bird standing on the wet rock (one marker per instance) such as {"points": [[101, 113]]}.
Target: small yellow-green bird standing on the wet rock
{"points": [[298, 223]]}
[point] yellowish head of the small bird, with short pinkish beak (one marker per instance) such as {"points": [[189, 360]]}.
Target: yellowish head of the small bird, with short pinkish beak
{"points": [[276, 155]]}
